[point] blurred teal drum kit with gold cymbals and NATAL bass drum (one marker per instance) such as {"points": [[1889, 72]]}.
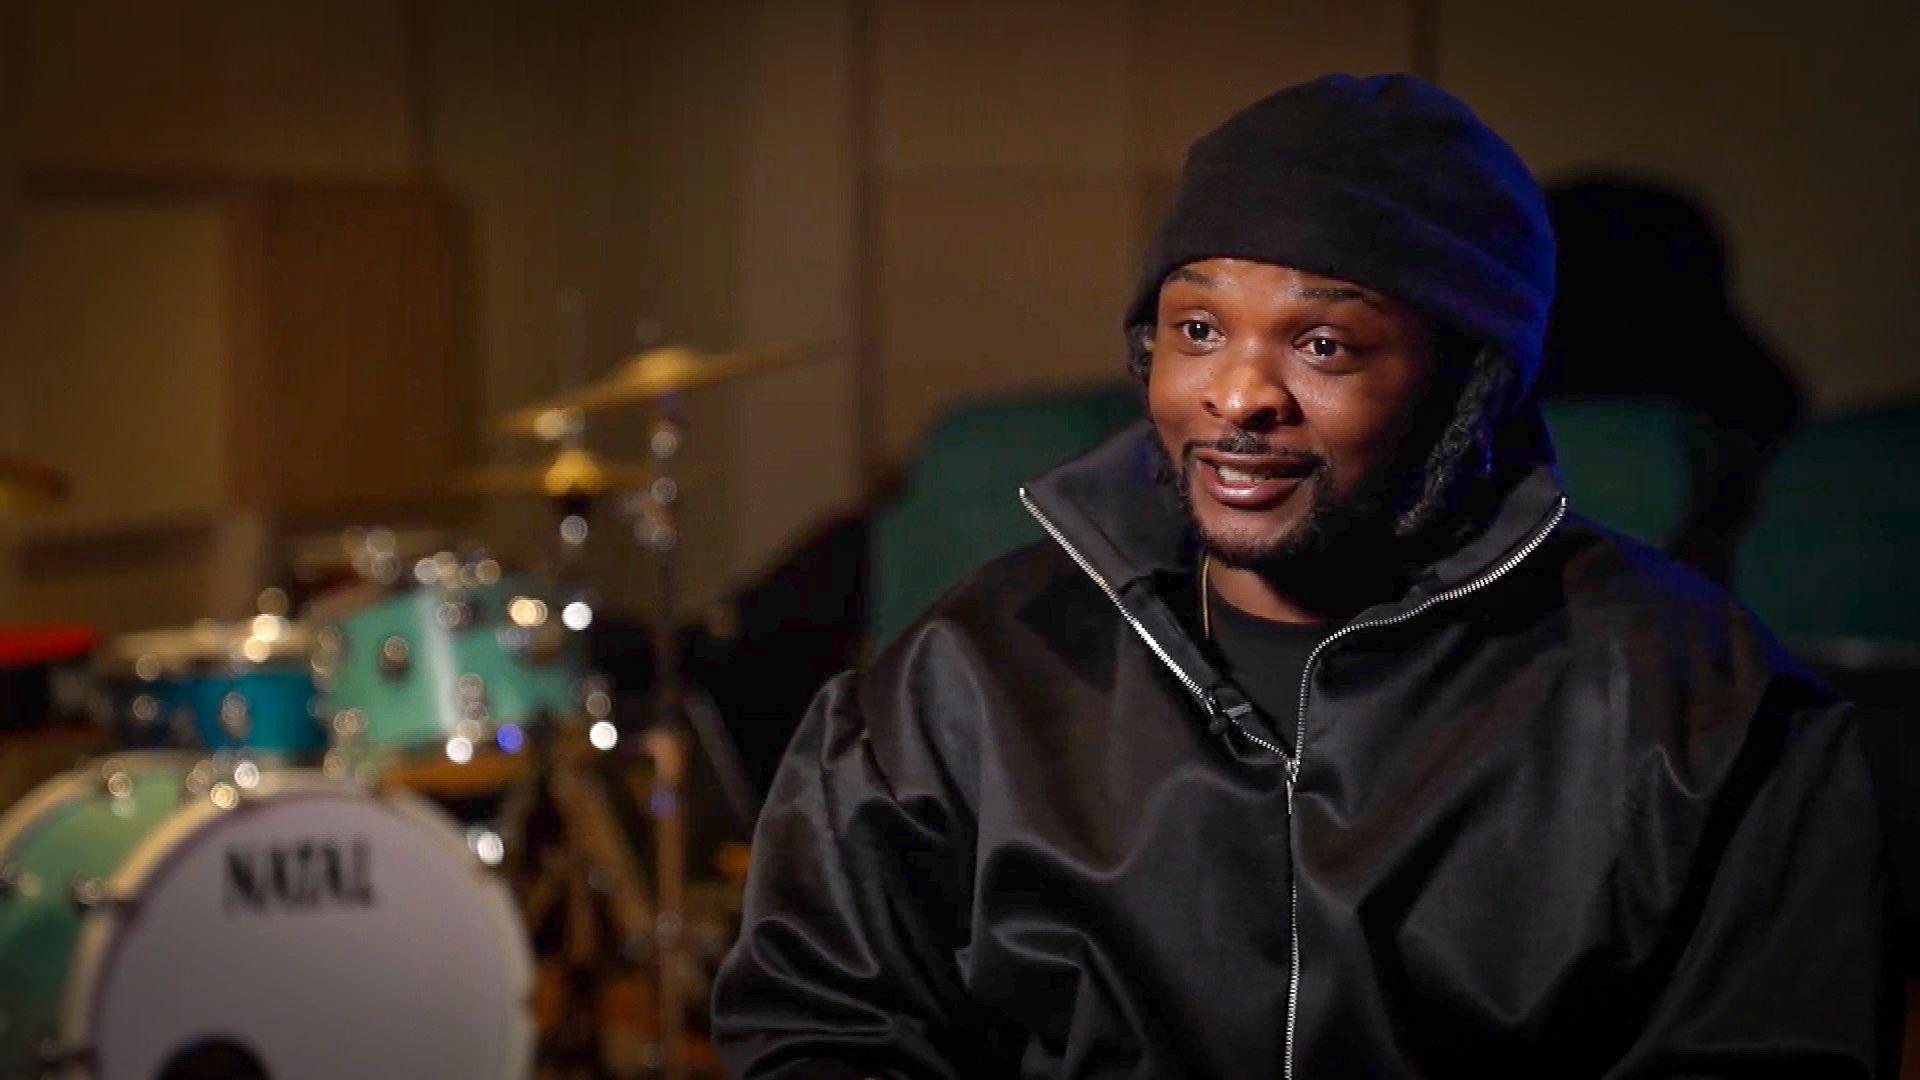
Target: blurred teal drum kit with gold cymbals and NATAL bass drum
{"points": [[256, 877]]}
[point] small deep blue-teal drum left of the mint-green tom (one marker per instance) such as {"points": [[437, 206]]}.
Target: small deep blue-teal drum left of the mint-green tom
{"points": [[197, 689]]}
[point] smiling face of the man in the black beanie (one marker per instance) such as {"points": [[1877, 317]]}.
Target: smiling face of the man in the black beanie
{"points": [[1282, 401]]}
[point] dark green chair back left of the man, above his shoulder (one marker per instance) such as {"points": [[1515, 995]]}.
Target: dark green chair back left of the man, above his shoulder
{"points": [[961, 504]]}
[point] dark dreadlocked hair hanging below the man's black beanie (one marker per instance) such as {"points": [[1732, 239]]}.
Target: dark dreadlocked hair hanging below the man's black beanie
{"points": [[1452, 491]]}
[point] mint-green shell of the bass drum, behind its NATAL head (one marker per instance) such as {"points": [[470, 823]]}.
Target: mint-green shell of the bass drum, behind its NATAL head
{"points": [[76, 827]]}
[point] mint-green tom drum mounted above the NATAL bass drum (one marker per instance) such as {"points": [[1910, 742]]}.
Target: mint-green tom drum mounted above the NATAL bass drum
{"points": [[433, 666]]}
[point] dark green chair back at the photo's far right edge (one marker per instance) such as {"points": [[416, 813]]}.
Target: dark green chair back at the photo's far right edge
{"points": [[1835, 554]]}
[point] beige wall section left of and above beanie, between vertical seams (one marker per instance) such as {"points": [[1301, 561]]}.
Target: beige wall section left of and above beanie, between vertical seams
{"points": [[1017, 159]]}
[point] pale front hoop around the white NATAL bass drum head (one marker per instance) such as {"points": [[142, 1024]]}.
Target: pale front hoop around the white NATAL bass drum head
{"points": [[101, 929]]}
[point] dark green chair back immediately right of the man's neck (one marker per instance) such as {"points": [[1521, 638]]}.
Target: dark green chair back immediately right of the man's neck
{"points": [[1629, 462]]}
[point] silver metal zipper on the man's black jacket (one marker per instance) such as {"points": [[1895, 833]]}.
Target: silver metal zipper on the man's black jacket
{"points": [[1301, 724]]}
